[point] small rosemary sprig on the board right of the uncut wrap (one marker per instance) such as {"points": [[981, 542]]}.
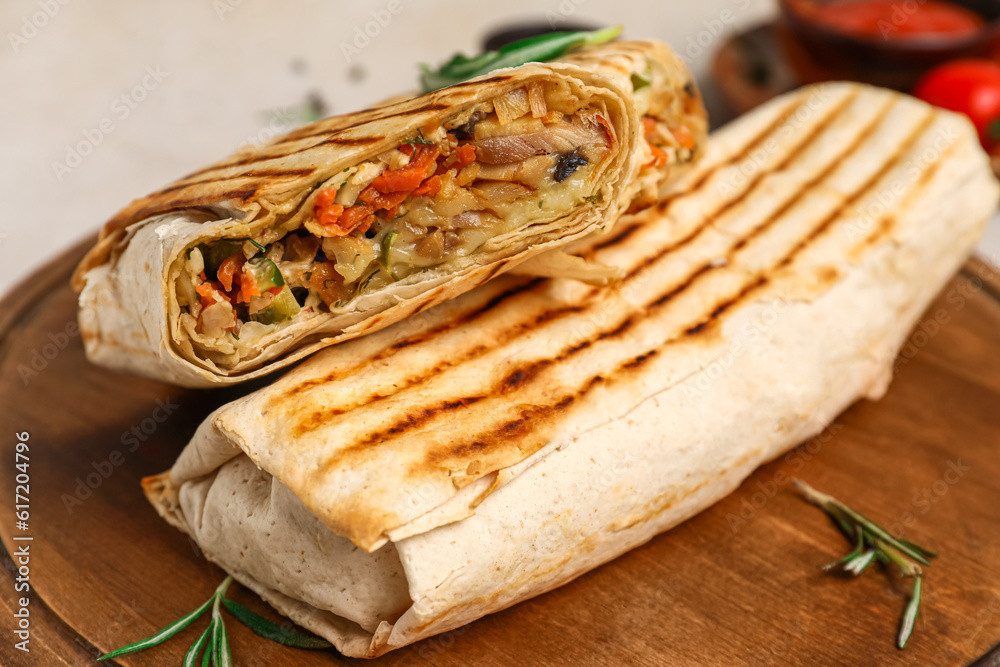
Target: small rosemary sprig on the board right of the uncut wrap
{"points": [[874, 543]]}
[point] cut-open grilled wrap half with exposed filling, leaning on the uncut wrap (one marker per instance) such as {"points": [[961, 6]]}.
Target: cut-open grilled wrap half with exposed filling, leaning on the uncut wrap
{"points": [[138, 307]]}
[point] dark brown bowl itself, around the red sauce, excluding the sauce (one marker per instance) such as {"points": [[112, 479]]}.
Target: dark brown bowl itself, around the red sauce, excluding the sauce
{"points": [[897, 63]]}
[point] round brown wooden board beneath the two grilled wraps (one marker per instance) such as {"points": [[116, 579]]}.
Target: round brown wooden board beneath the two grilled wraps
{"points": [[738, 584]]}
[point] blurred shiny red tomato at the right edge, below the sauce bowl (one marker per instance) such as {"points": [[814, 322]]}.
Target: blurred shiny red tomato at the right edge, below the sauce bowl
{"points": [[967, 86]]}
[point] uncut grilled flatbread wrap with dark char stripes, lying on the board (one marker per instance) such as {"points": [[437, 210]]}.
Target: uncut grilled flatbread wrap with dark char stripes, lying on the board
{"points": [[507, 441]]}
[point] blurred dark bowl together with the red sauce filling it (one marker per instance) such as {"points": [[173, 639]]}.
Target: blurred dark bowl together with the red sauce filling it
{"points": [[886, 42]]}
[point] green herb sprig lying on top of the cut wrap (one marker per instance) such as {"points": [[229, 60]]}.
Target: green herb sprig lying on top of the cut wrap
{"points": [[533, 49]]}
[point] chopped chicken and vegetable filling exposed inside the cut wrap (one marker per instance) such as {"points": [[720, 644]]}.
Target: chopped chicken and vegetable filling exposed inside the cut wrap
{"points": [[528, 157]]}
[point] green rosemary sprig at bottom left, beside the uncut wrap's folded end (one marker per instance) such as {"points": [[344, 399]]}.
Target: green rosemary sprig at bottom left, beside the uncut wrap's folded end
{"points": [[214, 641]]}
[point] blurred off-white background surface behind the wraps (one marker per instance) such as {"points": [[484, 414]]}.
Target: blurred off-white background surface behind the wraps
{"points": [[234, 71]]}
